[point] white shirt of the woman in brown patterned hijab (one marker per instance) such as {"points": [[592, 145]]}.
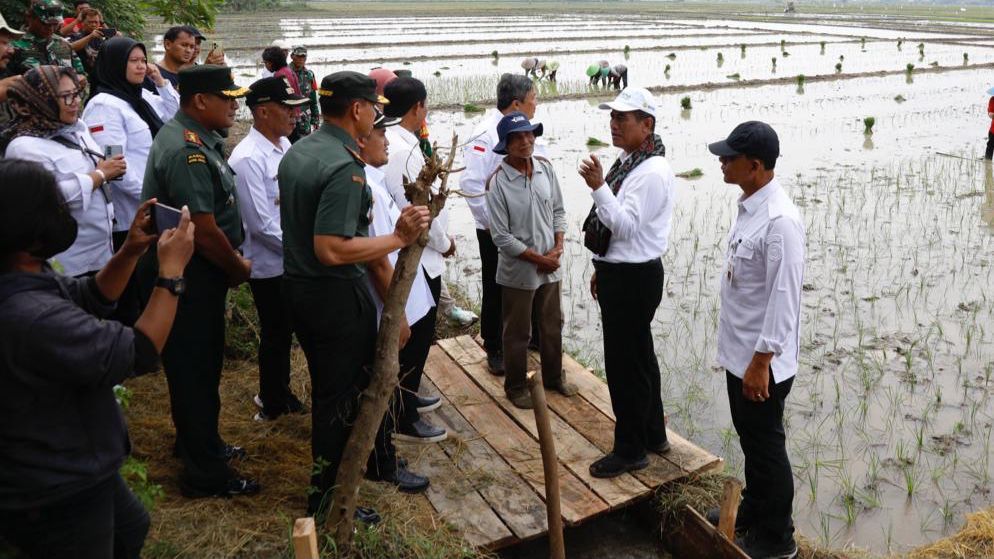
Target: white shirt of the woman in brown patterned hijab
{"points": [[92, 209]]}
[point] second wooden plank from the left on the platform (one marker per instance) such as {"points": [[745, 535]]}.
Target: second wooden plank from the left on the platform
{"points": [[515, 445]]}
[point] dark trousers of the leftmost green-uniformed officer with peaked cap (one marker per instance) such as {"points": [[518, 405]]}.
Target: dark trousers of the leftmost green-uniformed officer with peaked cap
{"points": [[193, 358]]}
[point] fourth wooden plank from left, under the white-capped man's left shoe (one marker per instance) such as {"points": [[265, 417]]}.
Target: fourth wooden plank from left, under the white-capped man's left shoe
{"points": [[599, 430]]}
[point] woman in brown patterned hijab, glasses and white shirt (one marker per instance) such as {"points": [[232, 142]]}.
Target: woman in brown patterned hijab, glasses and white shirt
{"points": [[46, 128]]}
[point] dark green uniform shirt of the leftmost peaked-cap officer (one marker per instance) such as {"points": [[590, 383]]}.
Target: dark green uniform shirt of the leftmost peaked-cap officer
{"points": [[186, 166]]}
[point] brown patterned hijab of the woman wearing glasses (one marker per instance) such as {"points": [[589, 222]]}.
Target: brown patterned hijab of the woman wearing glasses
{"points": [[35, 103]]}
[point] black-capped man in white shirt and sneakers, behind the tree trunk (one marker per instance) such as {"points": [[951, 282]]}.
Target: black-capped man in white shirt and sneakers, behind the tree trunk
{"points": [[408, 103]]}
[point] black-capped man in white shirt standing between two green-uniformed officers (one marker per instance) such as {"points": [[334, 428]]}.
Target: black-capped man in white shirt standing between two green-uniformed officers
{"points": [[256, 160]]}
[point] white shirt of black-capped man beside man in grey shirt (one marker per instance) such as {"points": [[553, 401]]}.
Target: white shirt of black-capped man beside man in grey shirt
{"points": [[407, 160]]}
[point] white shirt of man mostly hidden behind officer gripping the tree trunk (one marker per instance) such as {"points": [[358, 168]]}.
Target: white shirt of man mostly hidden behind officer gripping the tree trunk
{"points": [[385, 214]]}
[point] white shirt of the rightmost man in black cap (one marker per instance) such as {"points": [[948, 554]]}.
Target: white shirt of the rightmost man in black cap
{"points": [[761, 284]]}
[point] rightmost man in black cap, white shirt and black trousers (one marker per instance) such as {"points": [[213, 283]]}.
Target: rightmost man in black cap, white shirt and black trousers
{"points": [[759, 332]]}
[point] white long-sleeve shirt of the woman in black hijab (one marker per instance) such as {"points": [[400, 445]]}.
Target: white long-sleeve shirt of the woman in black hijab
{"points": [[112, 121]]}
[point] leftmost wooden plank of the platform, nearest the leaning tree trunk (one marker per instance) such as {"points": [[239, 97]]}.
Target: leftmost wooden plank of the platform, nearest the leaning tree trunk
{"points": [[521, 509]]}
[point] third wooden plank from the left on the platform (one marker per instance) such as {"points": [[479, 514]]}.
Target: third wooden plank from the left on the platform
{"points": [[575, 452]]}
